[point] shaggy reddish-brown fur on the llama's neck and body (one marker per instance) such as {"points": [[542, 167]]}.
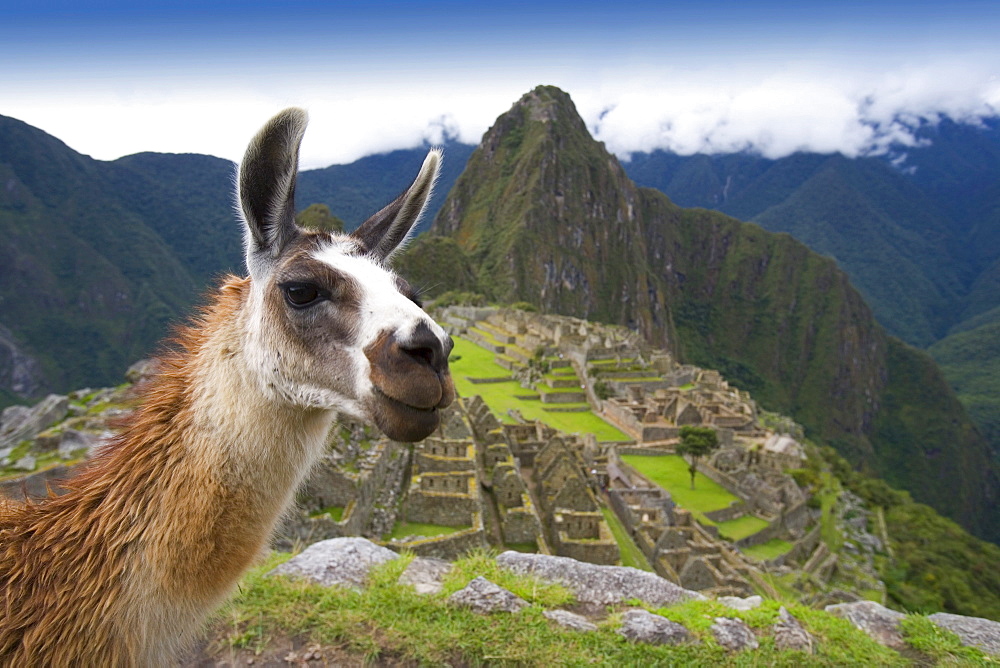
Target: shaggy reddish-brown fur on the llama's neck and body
{"points": [[122, 569]]}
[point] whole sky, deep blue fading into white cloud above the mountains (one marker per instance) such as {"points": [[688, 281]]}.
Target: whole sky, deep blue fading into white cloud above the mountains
{"points": [[113, 78]]}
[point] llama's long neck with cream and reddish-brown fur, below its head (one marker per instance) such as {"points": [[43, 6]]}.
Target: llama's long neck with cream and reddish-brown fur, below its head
{"points": [[223, 472]]}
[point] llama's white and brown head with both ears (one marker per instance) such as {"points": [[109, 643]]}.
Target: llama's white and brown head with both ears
{"points": [[331, 326]]}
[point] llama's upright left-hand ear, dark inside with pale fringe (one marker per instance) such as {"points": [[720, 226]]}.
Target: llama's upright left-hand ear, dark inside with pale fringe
{"points": [[266, 183]]}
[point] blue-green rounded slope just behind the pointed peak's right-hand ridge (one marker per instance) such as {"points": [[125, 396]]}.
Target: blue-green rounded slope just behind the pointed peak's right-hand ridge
{"points": [[896, 242]]}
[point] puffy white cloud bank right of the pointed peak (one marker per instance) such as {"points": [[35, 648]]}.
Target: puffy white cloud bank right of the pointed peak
{"points": [[820, 111]]}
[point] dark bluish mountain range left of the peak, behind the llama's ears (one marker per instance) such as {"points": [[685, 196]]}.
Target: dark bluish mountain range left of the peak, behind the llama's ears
{"points": [[98, 259]]}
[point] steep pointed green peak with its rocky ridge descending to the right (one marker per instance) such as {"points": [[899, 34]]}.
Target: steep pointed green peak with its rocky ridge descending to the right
{"points": [[546, 215]]}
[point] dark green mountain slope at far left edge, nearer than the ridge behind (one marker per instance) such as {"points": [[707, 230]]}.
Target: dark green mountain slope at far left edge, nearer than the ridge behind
{"points": [[77, 265]]}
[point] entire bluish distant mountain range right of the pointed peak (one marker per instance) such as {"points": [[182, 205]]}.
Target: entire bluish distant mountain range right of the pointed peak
{"points": [[915, 240]]}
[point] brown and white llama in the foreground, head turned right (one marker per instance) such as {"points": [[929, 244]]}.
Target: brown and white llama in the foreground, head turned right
{"points": [[152, 536]]}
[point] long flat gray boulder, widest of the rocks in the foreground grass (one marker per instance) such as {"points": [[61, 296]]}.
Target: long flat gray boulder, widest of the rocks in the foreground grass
{"points": [[598, 585]]}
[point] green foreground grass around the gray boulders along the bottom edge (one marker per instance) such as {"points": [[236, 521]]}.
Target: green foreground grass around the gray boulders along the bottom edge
{"points": [[388, 622]]}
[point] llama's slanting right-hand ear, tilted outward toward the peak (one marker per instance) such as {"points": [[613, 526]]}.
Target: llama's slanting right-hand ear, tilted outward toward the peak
{"points": [[383, 233]]}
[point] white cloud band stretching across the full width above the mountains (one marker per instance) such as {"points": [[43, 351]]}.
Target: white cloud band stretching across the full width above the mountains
{"points": [[775, 109]]}
